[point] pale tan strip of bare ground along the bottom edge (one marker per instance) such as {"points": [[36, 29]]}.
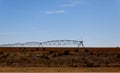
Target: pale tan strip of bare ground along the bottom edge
{"points": [[59, 69]]}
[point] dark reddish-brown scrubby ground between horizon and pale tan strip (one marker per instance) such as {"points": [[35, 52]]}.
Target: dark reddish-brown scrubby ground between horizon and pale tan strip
{"points": [[59, 58]]}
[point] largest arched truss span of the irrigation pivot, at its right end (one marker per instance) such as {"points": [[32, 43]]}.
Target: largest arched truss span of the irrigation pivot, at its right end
{"points": [[62, 43]]}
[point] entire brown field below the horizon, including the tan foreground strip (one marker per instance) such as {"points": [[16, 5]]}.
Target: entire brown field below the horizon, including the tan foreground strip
{"points": [[33, 59]]}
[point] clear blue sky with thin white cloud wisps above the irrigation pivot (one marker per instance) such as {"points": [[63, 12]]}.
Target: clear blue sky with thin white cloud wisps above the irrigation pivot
{"points": [[96, 21]]}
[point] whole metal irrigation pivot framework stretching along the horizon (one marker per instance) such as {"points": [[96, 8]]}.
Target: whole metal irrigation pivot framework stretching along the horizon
{"points": [[53, 43]]}
